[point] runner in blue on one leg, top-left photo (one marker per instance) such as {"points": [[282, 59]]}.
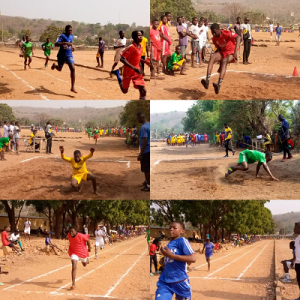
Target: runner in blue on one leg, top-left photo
{"points": [[65, 54]]}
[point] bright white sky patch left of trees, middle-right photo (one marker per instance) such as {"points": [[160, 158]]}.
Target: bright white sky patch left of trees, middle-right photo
{"points": [[162, 106]]}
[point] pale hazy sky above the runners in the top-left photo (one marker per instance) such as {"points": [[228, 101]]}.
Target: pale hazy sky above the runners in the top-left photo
{"points": [[88, 11]]}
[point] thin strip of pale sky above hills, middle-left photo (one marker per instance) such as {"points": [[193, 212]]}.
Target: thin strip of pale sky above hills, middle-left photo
{"points": [[66, 103]]}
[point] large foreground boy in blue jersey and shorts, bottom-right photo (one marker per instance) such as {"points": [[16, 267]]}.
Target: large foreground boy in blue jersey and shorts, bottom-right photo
{"points": [[174, 278]]}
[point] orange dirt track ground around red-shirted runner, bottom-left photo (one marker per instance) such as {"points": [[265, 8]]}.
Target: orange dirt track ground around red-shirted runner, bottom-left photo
{"points": [[94, 282]]}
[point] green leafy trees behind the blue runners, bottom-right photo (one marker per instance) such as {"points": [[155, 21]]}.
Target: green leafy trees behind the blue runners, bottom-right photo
{"points": [[223, 217]]}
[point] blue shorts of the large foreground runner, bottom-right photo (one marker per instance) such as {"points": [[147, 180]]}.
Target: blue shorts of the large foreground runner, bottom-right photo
{"points": [[165, 291]]}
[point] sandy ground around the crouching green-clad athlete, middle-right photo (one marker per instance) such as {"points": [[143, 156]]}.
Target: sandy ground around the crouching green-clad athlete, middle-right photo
{"points": [[205, 179]]}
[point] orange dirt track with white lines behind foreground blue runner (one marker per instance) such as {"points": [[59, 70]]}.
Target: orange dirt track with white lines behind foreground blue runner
{"points": [[244, 273]]}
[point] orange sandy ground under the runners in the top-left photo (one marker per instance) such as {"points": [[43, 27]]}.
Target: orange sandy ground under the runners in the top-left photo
{"points": [[54, 85]]}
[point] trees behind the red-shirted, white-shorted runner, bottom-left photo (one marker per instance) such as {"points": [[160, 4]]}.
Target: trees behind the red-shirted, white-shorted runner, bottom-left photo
{"points": [[111, 212]]}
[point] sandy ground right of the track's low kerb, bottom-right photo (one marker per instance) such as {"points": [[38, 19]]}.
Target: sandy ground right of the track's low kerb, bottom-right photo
{"points": [[283, 252]]}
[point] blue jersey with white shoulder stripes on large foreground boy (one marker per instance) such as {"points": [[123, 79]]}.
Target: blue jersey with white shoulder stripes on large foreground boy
{"points": [[175, 270]]}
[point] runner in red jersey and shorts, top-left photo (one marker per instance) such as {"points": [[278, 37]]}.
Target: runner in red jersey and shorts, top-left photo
{"points": [[131, 58]]}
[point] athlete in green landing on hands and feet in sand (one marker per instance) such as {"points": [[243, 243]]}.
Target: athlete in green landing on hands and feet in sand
{"points": [[250, 157]]}
